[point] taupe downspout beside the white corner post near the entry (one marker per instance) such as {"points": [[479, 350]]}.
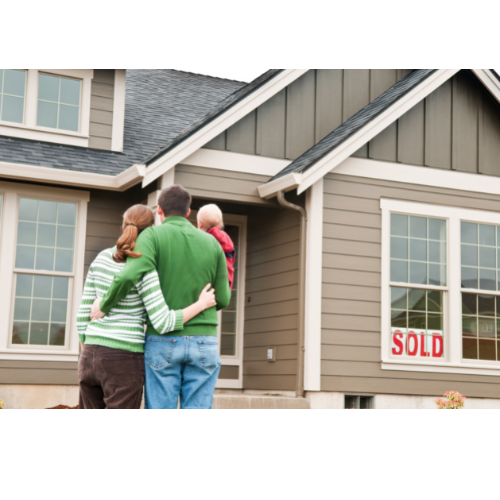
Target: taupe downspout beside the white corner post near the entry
{"points": [[302, 290]]}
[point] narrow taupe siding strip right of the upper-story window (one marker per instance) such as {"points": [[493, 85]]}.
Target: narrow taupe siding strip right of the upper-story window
{"points": [[101, 109]]}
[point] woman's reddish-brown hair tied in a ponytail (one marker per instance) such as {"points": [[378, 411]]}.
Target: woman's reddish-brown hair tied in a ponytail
{"points": [[135, 220]]}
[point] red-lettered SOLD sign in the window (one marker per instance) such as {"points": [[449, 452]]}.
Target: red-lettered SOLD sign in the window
{"points": [[417, 344]]}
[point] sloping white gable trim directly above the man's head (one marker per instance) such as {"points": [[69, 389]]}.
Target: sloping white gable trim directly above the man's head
{"points": [[220, 124]]}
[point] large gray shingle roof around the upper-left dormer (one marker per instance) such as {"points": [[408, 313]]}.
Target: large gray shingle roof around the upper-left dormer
{"points": [[160, 104]]}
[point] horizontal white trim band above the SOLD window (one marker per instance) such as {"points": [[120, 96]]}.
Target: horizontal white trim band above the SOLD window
{"points": [[423, 176]]}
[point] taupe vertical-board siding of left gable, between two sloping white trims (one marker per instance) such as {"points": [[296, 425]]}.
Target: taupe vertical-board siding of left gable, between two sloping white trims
{"points": [[302, 114]]}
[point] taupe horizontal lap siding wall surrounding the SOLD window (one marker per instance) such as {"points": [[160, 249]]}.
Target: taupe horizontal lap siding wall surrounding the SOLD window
{"points": [[351, 298]]}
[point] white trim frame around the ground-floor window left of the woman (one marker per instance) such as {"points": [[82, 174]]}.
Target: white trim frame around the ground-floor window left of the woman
{"points": [[8, 231]]}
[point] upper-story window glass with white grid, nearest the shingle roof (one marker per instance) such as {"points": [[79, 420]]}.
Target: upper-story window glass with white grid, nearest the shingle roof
{"points": [[58, 102]]}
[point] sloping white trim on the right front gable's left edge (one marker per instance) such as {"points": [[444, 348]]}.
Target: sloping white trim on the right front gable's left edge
{"points": [[363, 136]]}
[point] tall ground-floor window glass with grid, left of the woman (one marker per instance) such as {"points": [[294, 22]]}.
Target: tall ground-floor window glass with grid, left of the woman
{"points": [[45, 243]]}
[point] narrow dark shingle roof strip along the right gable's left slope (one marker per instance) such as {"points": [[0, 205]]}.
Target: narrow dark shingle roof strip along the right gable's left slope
{"points": [[356, 122]]}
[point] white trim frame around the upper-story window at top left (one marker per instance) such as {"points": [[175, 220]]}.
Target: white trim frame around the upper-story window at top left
{"points": [[29, 128]]}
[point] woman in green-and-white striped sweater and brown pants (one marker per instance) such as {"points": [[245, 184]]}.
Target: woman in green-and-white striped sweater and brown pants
{"points": [[111, 369]]}
